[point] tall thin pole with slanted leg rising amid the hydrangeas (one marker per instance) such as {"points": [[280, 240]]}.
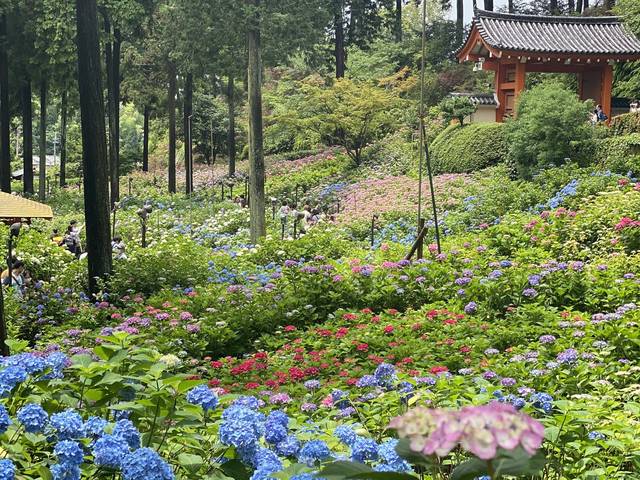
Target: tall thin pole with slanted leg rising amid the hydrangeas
{"points": [[424, 147]]}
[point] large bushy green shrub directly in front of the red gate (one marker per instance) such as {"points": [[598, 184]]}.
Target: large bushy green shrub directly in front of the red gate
{"points": [[549, 118]]}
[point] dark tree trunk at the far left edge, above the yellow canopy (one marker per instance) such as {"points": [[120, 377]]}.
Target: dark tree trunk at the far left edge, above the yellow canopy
{"points": [[5, 155]]}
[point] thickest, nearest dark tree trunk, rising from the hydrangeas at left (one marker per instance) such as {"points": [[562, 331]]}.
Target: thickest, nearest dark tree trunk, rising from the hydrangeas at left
{"points": [[94, 148]]}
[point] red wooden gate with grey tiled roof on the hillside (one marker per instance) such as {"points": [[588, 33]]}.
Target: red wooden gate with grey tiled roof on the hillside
{"points": [[513, 45]]}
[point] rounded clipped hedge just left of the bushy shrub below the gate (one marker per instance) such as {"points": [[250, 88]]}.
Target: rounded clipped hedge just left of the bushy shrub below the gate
{"points": [[462, 149]]}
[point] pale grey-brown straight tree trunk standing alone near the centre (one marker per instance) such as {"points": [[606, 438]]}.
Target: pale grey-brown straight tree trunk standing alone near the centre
{"points": [[257, 226]]}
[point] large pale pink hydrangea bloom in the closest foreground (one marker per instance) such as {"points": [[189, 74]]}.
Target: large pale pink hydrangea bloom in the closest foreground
{"points": [[480, 430]]}
